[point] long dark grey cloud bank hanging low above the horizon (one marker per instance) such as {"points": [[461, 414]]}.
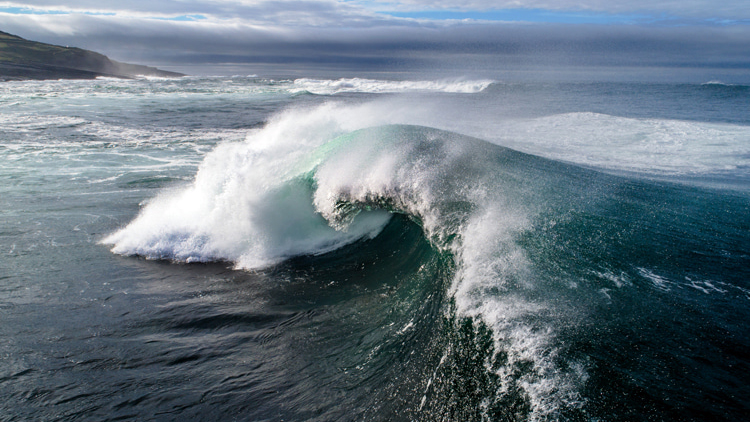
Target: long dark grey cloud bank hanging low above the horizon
{"points": [[394, 43]]}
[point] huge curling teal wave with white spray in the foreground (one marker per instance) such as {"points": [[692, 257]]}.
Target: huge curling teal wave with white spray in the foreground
{"points": [[533, 246]]}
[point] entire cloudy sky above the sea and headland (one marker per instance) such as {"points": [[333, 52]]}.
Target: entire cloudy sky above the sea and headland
{"points": [[473, 36]]}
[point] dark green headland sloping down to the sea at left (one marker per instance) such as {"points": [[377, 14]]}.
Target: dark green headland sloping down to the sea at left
{"points": [[23, 59]]}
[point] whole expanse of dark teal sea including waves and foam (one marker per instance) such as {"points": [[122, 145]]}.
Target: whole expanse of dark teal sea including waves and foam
{"points": [[250, 249]]}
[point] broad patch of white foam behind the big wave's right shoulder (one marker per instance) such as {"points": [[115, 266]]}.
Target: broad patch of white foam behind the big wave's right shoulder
{"points": [[655, 146]]}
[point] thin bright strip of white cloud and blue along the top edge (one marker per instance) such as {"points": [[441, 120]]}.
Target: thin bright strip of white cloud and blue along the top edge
{"points": [[333, 12]]}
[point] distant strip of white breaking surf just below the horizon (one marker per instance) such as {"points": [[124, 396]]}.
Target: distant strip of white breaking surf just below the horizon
{"points": [[329, 87]]}
